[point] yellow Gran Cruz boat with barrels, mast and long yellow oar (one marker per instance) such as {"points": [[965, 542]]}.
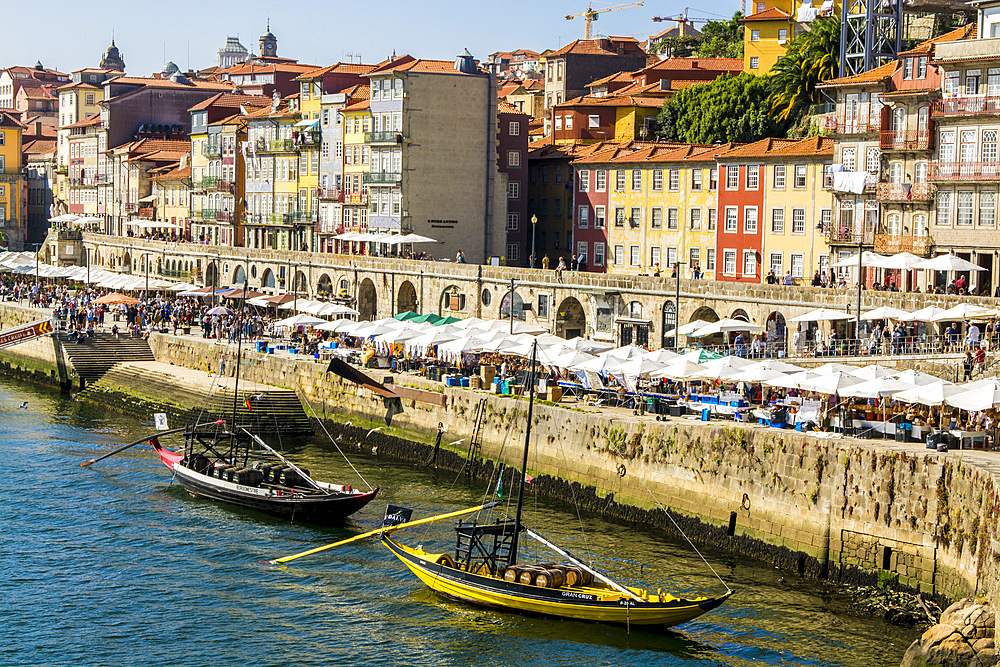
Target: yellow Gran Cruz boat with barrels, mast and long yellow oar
{"points": [[485, 570]]}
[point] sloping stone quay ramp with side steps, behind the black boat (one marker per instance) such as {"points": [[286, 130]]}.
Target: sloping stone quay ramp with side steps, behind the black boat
{"points": [[188, 396]]}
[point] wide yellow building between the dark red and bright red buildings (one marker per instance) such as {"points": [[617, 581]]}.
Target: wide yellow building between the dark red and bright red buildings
{"points": [[662, 203]]}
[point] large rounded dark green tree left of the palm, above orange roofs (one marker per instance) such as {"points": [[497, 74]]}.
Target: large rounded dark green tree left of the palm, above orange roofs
{"points": [[730, 108]]}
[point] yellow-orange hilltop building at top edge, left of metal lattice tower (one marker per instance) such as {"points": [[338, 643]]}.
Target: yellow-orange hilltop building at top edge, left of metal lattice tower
{"points": [[771, 24]]}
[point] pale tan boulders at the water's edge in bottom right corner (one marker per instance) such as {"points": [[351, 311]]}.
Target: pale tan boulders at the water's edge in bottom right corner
{"points": [[963, 637]]}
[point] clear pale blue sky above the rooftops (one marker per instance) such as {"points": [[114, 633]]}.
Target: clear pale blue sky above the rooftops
{"points": [[71, 35]]}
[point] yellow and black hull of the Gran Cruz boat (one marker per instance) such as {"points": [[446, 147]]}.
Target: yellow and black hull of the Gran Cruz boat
{"points": [[590, 603]]}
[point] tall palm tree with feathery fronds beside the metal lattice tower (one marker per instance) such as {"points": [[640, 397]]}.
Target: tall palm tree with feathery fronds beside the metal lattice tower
{"points": [[812, 57]]}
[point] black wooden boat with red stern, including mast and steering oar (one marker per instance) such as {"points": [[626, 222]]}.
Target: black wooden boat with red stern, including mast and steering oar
{"points": [[231, 464]]}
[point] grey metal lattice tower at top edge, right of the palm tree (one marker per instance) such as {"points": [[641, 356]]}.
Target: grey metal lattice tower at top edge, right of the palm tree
{"points": [[871, 34]]}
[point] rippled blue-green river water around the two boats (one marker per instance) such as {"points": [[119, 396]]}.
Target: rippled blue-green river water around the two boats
{"points": [[114, 565]]}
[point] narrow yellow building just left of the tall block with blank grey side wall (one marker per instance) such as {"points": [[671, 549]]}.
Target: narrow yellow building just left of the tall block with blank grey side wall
{"points": [[357, 121]]}
